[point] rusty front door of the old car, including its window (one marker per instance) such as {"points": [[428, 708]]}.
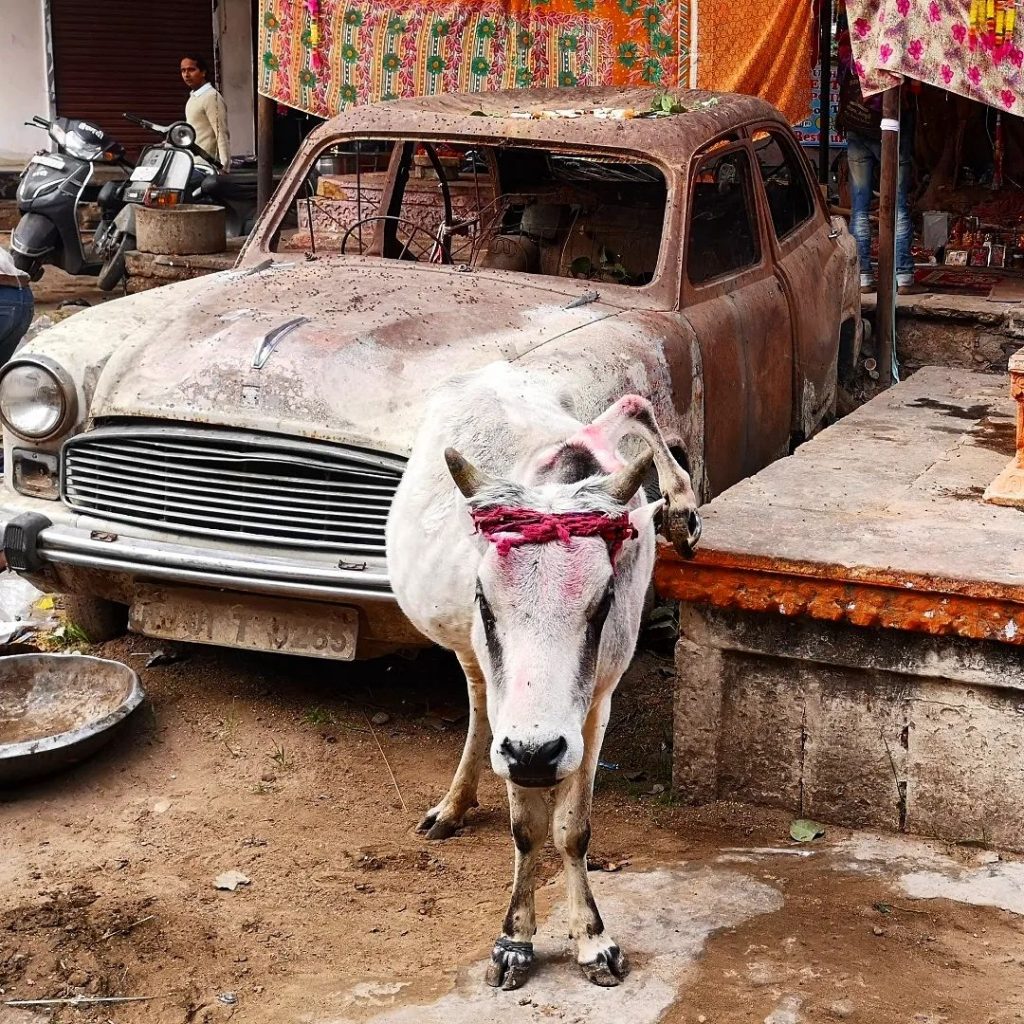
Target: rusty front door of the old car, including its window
{"points": [[736, 306]]}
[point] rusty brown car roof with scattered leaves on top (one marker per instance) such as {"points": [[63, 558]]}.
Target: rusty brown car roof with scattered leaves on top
{"points": [[526, 115]]}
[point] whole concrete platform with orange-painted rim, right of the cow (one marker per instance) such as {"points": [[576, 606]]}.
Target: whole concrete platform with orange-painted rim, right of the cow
{"points": [[852, 630]]}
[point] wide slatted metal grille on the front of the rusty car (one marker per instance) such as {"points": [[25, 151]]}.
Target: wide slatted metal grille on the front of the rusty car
{"points": [[233, 485]]}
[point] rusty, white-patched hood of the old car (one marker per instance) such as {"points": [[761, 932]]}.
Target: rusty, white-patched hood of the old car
{"points": [[350, 351]]}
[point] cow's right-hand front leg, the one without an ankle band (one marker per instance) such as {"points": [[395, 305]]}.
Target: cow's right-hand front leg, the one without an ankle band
{"points": [[598, 954]]}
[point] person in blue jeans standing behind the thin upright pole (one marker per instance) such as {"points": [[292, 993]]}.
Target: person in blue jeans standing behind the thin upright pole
{"points": [[862, 119]]}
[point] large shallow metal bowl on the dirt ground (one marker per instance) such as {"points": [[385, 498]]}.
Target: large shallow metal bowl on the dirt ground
{"points": [[58, 709]]}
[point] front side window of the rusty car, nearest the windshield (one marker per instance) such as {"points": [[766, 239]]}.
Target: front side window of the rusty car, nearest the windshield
{"points": [[723, 233]]}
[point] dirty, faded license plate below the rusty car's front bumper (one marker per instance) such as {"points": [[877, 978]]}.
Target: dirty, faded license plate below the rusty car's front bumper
{"points": [[244, 621]]}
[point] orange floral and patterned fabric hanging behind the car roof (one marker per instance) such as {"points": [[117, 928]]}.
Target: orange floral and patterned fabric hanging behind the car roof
{"points": [[320, 56]]}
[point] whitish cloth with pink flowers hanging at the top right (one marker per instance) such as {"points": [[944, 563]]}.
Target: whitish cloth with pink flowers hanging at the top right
{"points": [[932, 41]]}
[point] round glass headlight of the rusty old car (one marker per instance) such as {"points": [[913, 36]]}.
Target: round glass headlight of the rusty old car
{"points": [[37, 398]]}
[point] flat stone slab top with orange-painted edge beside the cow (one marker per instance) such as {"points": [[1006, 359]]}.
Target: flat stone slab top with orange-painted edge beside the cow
{"points": [[877, 521]]}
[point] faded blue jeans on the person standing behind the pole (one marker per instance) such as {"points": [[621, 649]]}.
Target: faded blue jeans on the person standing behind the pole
{"points": [[864, 155]]}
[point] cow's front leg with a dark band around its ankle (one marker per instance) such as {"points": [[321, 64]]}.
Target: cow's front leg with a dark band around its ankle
{"points": [[514, 954]]}
